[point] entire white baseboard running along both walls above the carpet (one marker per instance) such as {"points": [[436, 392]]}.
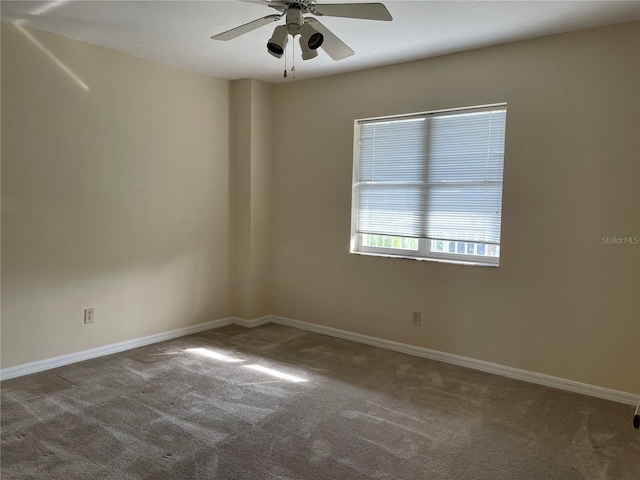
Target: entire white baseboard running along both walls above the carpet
{"points": [[525, 375]]}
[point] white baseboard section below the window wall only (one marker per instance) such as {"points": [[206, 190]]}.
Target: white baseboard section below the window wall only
{"points": [[510, 372]]}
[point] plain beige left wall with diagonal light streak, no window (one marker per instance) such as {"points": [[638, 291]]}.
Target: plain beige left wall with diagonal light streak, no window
{"points": [[114, 196]]}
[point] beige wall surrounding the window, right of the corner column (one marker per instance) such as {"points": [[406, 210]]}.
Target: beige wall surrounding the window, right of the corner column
{"points": [[561, 303]]}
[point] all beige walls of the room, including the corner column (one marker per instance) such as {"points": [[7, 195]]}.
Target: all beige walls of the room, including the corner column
{"points": [[164, 199]]}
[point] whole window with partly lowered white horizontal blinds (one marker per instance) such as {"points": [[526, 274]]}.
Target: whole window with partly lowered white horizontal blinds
{"points": [[429, 185]]}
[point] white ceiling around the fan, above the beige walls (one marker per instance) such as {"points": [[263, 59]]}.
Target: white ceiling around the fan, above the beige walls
{"points": [[178, 33]]}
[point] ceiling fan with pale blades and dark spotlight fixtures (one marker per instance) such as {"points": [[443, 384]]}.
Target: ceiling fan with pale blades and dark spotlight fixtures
{"points": [[313, 34]]}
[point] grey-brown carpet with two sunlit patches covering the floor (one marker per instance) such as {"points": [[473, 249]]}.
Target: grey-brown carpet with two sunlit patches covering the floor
{"points": [[279, 403]]}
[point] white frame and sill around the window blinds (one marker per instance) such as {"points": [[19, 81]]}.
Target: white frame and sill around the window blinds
{"points": [[424, 250]]}
